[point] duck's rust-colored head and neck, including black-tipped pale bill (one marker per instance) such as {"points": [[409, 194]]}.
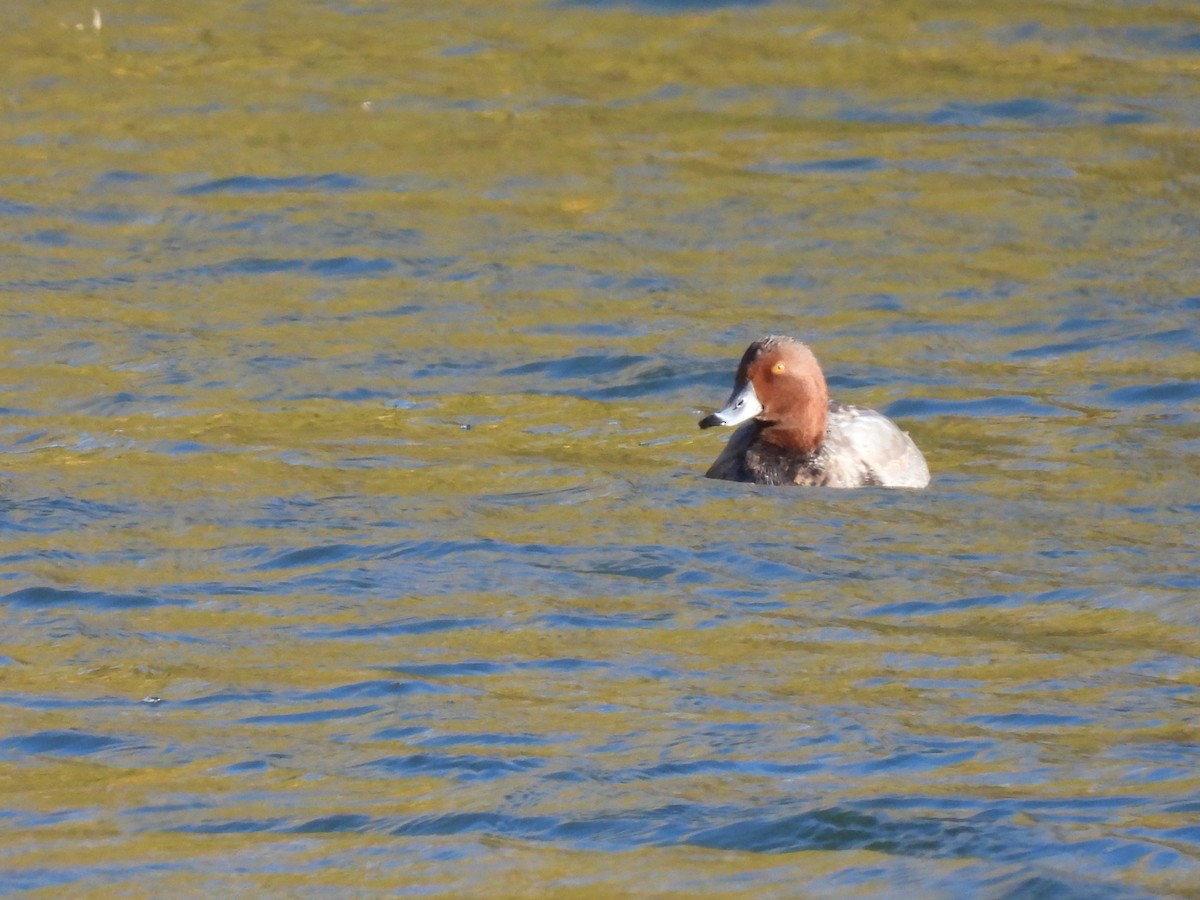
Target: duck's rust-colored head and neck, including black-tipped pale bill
{"points": [[779, 383]]}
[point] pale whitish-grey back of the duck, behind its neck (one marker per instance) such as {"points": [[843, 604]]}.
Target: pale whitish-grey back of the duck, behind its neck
{"points": [[866, 448]]}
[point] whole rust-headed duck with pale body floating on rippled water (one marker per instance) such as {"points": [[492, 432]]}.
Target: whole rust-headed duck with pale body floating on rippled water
{"points": [[791, 433]]}
